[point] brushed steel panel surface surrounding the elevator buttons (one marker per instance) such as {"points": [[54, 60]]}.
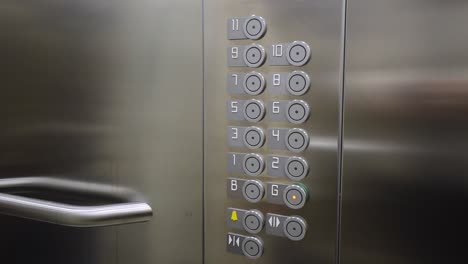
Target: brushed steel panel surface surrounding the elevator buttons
{"points": [[319, 23]]}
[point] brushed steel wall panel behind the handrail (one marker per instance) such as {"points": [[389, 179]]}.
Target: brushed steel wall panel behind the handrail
{"points": [[109, 92]]}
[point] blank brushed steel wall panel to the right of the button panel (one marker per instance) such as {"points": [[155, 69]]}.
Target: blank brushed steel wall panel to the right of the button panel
{"points": [[405, 132]]}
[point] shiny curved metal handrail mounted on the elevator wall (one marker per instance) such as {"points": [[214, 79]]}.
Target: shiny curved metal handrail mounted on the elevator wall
{"points": [[14, 201]]}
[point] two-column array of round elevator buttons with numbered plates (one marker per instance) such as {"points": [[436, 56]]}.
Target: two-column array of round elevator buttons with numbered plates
{"points": [[269, 136]]}
